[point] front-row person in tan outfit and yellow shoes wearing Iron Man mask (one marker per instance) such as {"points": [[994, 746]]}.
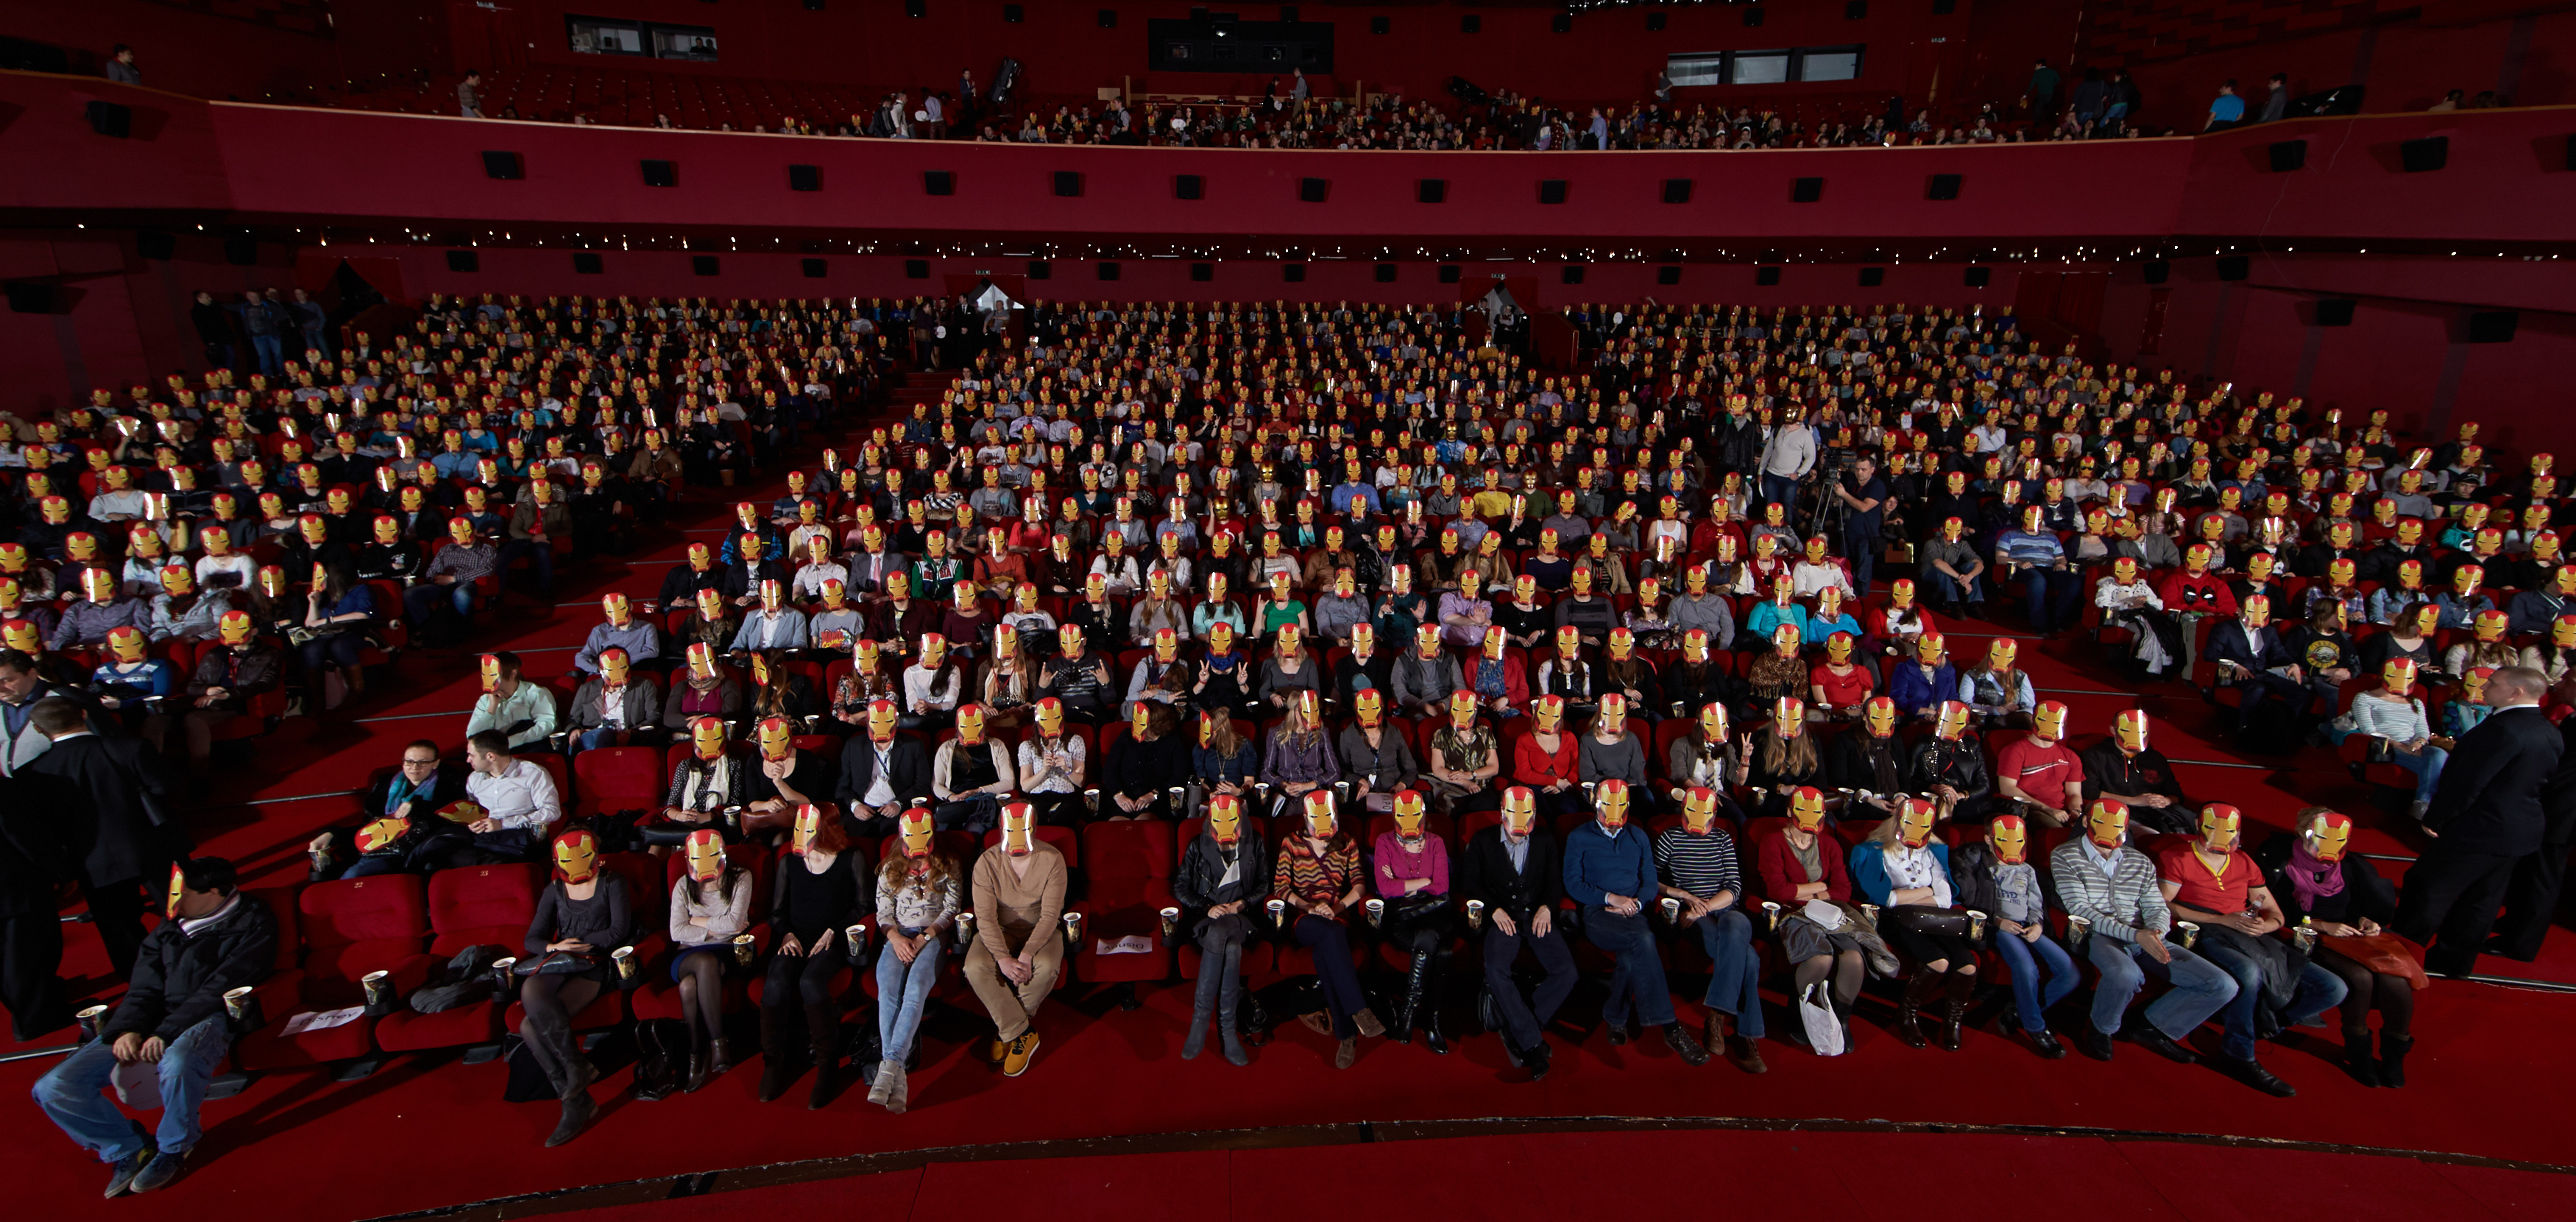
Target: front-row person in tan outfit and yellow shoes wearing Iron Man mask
{"points": [[1019, 947]]}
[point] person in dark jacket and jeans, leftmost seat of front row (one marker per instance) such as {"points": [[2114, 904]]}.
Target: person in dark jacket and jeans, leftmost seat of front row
{"points": [[171, 1022]]}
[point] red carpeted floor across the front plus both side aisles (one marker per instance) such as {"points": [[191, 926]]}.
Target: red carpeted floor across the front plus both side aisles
{"points": [[429, 1133]]}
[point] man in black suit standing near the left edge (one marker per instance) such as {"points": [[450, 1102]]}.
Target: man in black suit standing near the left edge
{"points": [[107, 795]]}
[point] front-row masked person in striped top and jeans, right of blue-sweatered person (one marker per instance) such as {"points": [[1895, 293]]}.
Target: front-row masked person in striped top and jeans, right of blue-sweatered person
{"points": [[1696, 868]]}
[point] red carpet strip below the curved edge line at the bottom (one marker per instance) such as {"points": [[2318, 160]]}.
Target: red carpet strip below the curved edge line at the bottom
{"points": [[1678, 1174]]}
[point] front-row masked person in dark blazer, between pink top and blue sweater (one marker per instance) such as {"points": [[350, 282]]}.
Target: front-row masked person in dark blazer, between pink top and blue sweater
{"points": [[1513, 870]]}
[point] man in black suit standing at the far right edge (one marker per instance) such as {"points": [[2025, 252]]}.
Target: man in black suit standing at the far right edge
{"points": [[2485, 821]]}
